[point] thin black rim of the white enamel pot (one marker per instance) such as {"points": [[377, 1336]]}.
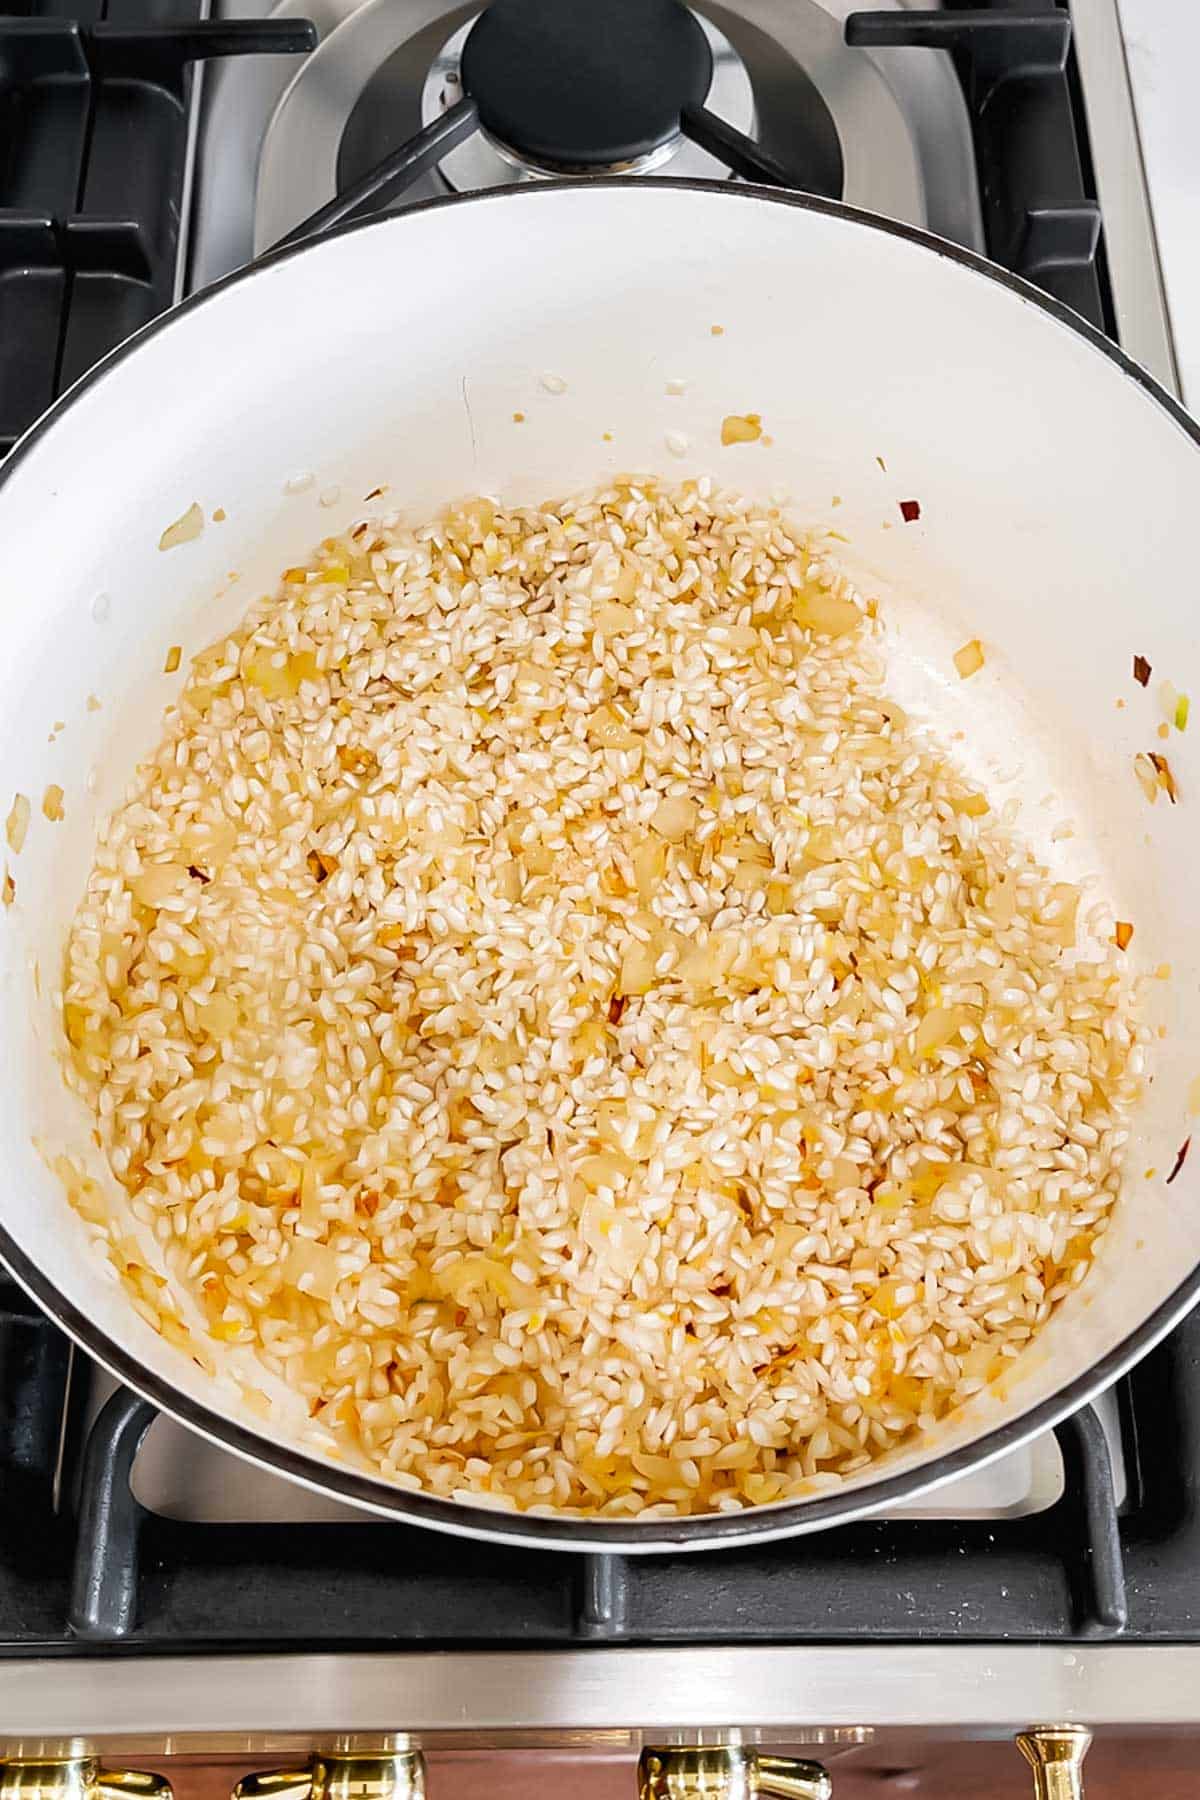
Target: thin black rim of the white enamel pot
{"points": [[553, 1531]]}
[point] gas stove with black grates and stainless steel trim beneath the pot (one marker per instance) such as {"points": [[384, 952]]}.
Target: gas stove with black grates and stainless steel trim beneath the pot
{"points": [[156, 1590]]}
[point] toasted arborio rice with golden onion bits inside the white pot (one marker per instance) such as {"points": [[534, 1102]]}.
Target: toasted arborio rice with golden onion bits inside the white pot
{"points": [[553, 1005]]}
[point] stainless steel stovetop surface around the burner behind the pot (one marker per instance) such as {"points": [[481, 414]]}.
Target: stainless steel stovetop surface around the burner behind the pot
{"points": [[273, 143]]}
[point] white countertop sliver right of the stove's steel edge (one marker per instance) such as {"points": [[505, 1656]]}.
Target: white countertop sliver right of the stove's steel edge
{"points": [[1163, 49]]}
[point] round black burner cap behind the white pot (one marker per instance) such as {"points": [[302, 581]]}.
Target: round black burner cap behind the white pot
{"points": [[586, 84]]}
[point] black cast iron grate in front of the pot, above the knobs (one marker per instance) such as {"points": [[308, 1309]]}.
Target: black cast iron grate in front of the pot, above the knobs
{"points": [[102, 1572]]}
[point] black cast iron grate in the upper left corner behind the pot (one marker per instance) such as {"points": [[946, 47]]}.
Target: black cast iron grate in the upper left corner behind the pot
{"points": [[93, 159]]}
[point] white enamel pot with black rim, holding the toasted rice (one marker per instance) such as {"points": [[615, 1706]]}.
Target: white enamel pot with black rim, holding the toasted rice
{"points": [[1059, 512]]}
